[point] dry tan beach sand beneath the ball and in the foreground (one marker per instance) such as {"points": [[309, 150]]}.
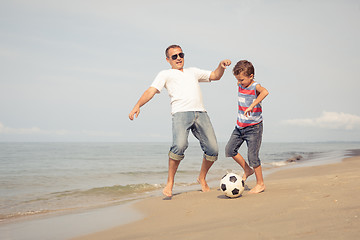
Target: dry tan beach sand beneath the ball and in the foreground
{"points": [[321, 202]]}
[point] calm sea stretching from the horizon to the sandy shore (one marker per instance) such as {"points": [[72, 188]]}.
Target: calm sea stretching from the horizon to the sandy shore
{"points": [[45, 178]]}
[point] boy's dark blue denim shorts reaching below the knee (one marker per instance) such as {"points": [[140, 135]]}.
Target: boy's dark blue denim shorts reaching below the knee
{"points": [[253, 136]]}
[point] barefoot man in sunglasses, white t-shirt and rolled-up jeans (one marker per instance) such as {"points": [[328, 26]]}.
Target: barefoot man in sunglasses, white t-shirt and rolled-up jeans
{"points": [[187, 111]]}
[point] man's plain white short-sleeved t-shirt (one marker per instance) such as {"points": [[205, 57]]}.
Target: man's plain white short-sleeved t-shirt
{"points": [[183, 88]]}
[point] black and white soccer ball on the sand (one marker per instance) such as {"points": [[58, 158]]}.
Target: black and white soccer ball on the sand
{"points": [[232, 185]]}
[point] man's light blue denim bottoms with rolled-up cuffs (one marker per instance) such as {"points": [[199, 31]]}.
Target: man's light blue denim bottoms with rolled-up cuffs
{"points": [[201, 127]]}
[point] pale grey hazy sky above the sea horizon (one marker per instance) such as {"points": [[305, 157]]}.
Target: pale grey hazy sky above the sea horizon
{"points": [[71, 71]]}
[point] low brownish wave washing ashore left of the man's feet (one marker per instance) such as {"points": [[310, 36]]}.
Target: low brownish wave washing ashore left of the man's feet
{"points": [[77, 199]]}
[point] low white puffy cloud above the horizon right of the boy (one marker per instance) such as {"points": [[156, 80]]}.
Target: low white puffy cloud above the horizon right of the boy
{"points": [[328, 120]]}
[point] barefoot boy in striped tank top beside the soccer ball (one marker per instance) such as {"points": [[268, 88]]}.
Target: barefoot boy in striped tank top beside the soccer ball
{"points": [[249, 126]]}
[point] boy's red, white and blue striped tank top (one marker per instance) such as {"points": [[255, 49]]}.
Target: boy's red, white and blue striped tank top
{"points": [[246, 97]]}
